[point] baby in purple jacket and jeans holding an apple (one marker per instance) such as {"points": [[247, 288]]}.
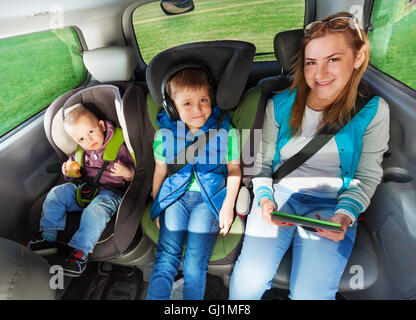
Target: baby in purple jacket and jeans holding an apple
{"points": [[92, 135]]}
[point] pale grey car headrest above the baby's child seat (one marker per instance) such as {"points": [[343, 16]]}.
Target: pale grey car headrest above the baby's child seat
{"points": [[111, 63]]}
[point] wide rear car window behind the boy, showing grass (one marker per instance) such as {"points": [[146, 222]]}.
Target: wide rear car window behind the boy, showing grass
{"points": [[253, 21]]}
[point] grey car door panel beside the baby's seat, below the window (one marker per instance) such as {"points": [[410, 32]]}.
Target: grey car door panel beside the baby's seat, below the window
{"points": [[29, 167]]}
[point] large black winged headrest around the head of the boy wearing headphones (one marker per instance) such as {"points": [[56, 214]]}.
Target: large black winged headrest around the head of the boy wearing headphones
{"points": [[229, 62]]}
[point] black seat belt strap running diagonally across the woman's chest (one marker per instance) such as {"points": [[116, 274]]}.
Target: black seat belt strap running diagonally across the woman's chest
{"points": [[323, 137]]}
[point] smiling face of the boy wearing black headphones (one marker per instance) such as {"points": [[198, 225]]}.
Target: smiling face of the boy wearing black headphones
{"points": [[193, 105]]}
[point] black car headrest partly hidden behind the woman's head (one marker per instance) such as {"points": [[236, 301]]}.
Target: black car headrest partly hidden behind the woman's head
{"points": [[286, 46]]}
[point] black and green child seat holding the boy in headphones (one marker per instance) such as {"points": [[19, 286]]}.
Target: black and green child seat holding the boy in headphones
{"points": [[229, 63]]}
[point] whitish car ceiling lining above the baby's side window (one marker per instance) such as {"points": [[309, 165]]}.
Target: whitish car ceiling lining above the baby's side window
{"points": [[22, 16]]}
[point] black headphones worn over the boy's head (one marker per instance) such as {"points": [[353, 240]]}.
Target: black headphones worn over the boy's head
{"points": [[167, 102]]}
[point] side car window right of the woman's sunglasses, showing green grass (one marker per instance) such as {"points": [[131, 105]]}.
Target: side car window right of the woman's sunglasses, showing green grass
{"points": [[393, 39]]}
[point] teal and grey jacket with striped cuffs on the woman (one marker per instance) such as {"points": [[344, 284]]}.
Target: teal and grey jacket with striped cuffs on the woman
{"points": [[361, 144]]}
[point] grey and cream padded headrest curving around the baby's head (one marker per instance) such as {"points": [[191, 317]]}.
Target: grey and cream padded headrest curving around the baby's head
{"points": [[103, 100]]}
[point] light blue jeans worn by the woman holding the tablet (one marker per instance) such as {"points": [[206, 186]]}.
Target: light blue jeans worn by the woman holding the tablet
{"points": [[317, 263]]}
